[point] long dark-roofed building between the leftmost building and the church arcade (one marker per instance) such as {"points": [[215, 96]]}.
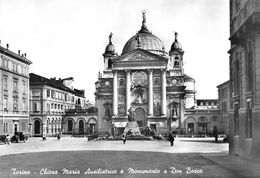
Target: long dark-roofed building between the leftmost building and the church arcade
{"points": [[50, 100]]}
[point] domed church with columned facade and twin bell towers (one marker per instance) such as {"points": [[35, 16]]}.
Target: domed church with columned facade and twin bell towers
{"points": [[146, 79]]}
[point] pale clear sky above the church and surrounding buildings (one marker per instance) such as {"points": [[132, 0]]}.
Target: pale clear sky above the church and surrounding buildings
{"points": [[67, 38]]}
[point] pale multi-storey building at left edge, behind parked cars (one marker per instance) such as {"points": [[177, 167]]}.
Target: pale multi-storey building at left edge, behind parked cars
{"points": [[14, 92]]}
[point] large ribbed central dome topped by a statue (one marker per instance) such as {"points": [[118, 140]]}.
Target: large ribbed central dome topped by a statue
{"points": [[145, 40]]}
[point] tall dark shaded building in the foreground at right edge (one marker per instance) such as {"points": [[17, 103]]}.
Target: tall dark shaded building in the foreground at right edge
{"points": [[244, 63]]}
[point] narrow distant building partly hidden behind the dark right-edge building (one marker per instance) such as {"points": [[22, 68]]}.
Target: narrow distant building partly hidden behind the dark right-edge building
{"points": [[224, 99]]}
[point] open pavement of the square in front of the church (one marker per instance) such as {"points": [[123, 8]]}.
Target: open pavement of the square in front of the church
{"points": [[202, 157]]}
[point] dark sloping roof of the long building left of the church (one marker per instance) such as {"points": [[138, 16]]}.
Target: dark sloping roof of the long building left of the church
{"points": [[58, 84]]}
